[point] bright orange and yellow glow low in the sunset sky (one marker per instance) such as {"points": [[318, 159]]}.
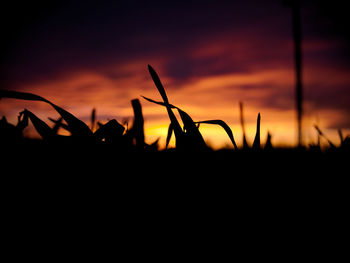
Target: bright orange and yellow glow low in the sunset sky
{"points": [[205, 98]]}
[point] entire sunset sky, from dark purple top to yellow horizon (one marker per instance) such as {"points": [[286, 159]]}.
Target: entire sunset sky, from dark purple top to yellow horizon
{"points": [[210, 55]]}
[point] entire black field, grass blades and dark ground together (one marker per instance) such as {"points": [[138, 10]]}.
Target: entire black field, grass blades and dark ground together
{"points": [[107, 177]]}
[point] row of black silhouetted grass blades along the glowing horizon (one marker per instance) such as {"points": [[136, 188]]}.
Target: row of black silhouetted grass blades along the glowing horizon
{"points": [[114, 137]]}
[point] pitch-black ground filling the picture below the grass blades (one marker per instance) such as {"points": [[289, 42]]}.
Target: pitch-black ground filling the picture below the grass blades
{"points": [[79, 202]]}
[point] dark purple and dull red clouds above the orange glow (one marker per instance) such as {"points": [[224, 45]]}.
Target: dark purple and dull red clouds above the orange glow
{"points": [[48, 41]]}
